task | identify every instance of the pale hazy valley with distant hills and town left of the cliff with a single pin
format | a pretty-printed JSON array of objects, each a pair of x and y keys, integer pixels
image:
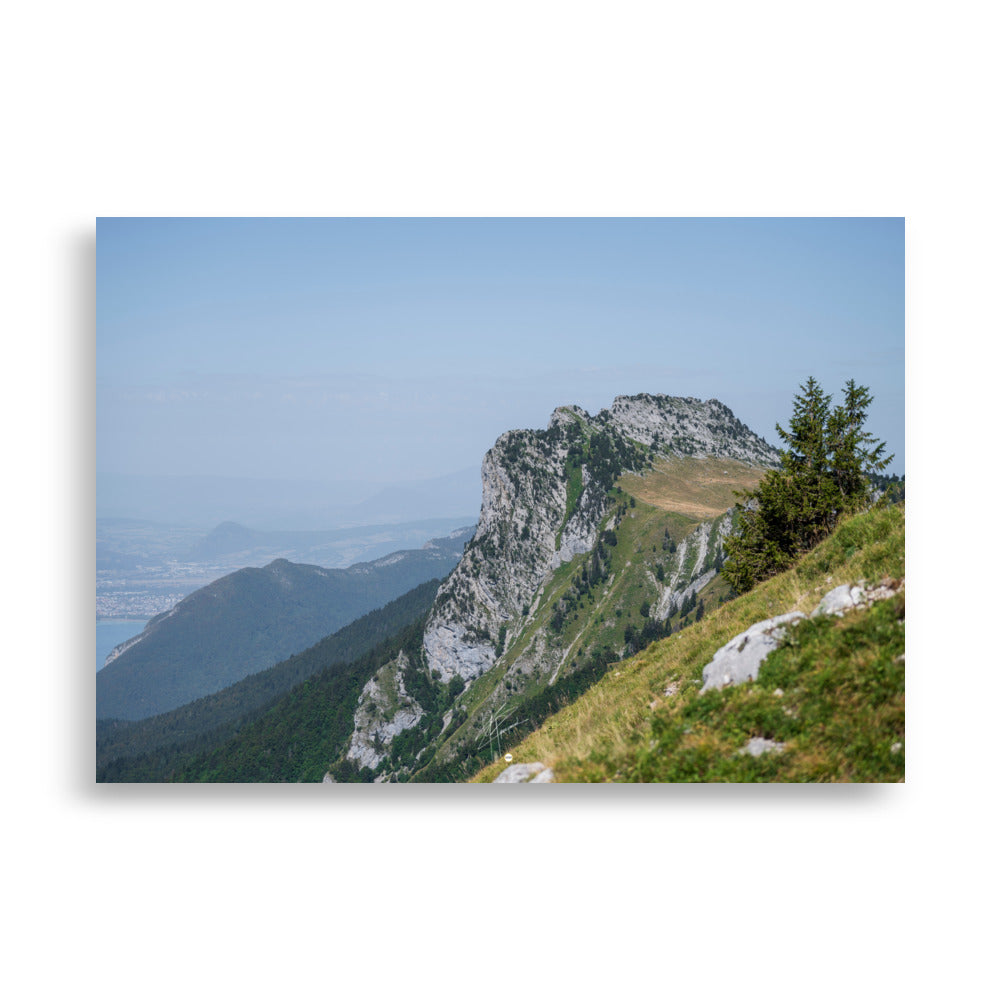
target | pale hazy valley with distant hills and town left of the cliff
[{"x": 169, "y": 543}]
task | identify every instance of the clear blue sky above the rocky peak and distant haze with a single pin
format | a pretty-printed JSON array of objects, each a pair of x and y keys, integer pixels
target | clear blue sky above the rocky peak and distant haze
[{"x": 386, "y": 350}]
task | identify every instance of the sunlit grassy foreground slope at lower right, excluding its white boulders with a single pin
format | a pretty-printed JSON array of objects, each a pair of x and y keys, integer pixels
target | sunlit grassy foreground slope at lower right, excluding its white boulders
[{"x": 843, "y": 687}]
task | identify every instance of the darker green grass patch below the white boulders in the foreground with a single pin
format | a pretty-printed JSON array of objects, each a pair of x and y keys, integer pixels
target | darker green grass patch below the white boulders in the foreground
[{"x": 834, "y": 698}]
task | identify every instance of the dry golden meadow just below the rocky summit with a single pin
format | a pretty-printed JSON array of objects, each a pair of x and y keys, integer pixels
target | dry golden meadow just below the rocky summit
[{"x": 698, "y": 487}]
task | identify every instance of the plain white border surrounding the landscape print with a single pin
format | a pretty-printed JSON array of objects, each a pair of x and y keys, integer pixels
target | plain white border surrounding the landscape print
[{"x": 553, "y": 109}]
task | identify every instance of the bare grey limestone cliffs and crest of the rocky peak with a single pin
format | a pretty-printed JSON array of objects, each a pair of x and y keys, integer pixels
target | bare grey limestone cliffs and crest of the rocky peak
[{"x": 544, "y": 497}]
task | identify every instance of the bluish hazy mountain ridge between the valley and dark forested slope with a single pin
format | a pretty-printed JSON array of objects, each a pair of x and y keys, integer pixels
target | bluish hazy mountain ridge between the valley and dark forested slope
[{"x": 250, "y": 620}]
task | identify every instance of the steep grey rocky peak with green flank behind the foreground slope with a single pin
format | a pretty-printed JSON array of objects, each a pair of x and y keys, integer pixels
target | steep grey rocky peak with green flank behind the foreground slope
[{"x": 567, "y": 570}]
